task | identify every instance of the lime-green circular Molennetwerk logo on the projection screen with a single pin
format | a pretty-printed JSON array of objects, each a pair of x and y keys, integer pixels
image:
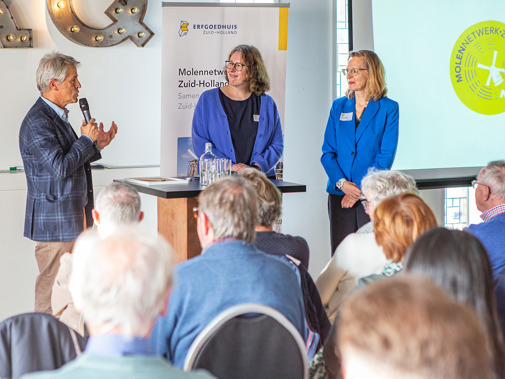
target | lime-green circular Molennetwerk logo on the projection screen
[{"x": 478, "y": 67}]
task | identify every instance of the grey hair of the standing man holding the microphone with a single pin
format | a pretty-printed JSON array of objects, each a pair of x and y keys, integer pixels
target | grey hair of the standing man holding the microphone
[{"x": 53, "y": 66}]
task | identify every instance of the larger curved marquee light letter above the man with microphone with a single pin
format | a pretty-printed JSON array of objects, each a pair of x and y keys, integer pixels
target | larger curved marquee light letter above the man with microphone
[{"x": 127, "y": 23}]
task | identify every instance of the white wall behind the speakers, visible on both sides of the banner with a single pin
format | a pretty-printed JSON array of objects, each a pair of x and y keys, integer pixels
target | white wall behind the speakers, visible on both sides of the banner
[{"x": 122, "y": 83}]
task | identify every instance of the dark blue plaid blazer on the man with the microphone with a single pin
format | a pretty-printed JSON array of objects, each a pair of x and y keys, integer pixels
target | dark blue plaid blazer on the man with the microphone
[{"x": 58, "y": 174}]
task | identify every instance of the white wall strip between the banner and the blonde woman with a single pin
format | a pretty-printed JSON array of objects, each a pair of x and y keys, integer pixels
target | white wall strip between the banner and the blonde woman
[{"x": 309, "y": 91}]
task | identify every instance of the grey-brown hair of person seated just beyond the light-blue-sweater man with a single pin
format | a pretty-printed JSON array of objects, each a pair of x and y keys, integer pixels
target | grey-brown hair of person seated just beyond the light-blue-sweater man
[{"x": 269, "y": 196}]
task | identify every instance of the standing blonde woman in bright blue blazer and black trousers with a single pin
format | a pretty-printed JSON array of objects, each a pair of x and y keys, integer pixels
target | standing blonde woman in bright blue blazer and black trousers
[{"x": 362, "y": 132}]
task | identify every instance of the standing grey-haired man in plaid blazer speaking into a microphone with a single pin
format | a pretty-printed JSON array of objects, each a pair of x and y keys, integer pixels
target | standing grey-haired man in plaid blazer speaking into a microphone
[{"x": 58, "y": 170}]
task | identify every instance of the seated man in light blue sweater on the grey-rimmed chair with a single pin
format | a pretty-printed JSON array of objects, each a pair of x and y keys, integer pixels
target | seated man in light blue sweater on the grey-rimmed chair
[{"x": 230, "y": 271}]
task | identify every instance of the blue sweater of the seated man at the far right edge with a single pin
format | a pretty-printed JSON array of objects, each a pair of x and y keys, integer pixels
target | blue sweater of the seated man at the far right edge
[{"x": 492, "y": 235}]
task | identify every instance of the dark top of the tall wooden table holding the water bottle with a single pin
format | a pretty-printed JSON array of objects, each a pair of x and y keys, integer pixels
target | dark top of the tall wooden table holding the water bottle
[{"x": 192, "y": 188}]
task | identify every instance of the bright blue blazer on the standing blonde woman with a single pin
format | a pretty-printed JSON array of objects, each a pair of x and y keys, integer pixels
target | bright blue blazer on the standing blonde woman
[{"x": 349, "y": 153}]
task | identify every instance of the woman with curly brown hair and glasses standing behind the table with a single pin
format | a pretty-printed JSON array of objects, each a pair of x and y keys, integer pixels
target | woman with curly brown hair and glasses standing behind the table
[{"x": 239, "y": 119}]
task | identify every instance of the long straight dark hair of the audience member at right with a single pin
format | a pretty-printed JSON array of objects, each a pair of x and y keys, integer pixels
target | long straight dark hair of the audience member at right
[{"x": 458, "y": 262}]
